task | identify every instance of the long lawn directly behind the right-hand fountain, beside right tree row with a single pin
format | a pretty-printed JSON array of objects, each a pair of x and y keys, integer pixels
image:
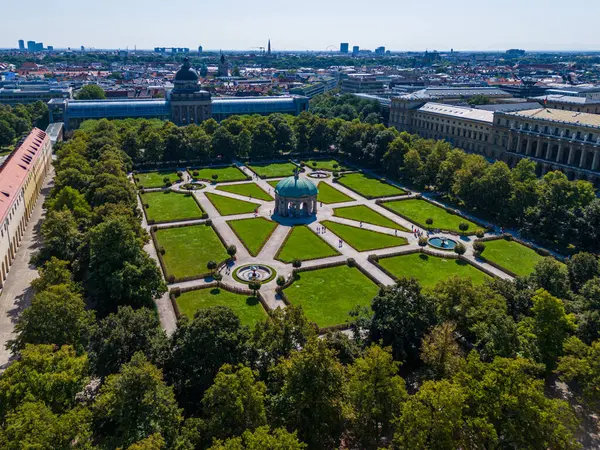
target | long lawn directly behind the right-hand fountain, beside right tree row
[{"x": 418, "y": 211}]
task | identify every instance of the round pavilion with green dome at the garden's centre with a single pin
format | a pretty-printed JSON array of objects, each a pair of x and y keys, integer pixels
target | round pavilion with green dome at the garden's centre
[{"x": 296, "y": 197}]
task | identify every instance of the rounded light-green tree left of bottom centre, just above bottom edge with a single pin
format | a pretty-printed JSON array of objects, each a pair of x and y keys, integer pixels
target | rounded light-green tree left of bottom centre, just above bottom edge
[{"x": 234, "y": 403}]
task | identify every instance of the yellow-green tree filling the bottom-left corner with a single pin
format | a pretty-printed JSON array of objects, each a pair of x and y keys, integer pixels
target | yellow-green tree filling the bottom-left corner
[{"x": 34, "y": 425}]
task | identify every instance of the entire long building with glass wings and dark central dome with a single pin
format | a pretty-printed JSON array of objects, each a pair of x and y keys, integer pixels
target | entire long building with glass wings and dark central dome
[{"x": 187, "y": 103}]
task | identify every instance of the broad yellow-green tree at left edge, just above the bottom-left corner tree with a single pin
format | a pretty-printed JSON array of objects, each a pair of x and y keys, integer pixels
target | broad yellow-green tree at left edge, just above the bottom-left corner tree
[{"x": 44, "y": 373}]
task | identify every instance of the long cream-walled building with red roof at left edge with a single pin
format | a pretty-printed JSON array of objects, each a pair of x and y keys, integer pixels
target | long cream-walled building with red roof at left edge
[{"x": 21, "y": 178}]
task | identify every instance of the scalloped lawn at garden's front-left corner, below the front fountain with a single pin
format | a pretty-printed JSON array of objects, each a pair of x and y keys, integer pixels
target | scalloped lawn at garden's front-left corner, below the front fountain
[{"x": 248, "y": 309}]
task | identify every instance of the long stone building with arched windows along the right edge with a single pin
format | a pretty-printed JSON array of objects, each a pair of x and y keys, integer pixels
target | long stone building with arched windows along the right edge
[{"x": 555, "y": 139}]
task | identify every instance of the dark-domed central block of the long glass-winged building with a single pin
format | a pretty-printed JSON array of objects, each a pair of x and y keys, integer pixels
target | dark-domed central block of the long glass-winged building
[{"x": 189, "y": 104}]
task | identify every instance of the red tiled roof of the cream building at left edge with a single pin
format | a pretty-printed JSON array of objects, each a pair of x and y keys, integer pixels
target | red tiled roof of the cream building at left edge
[{"x": 16, "y": 167}]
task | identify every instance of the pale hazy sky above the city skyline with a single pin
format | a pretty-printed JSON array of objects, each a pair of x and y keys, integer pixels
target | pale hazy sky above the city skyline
[{"x": 306, "y": 24}]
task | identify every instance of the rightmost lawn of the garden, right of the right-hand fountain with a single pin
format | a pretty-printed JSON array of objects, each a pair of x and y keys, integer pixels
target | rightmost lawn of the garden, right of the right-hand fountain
[{"x": 511, "y": 255}]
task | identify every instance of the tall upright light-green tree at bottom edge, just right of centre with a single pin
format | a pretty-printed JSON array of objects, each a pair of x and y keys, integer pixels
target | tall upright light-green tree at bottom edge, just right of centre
[{"x": 376, "y": 393}]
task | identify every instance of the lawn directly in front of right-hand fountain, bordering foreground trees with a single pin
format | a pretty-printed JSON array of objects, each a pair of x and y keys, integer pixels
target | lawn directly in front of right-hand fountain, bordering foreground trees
[{"x": 430, "y": 269}]
